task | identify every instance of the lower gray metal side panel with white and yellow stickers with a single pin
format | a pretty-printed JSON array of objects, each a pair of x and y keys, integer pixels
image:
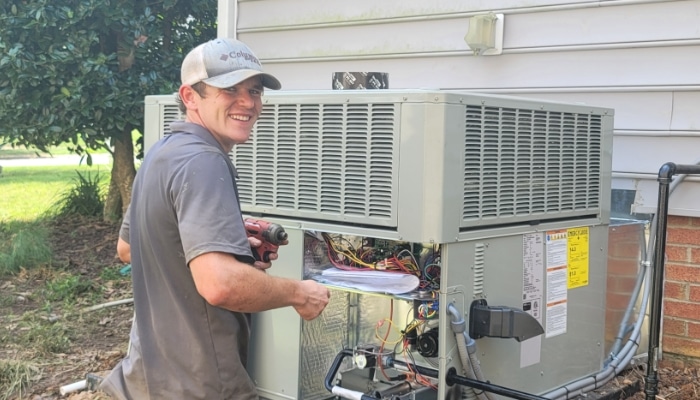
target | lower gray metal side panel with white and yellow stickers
[{"x": 503, "y": 271}]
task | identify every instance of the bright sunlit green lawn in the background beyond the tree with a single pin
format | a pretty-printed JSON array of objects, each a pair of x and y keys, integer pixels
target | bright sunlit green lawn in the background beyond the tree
[{"x": 27, "y": 193}]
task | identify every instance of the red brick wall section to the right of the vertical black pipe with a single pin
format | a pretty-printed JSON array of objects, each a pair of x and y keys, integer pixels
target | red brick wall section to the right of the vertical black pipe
[{"x": 681, "y": 325}]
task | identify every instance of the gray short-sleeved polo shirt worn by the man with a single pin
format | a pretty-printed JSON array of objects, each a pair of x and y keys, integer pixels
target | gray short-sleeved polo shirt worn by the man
[{"x": 184, "y": 204}]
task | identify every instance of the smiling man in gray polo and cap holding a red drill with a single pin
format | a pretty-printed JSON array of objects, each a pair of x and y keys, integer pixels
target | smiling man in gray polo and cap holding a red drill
[{"x": 195, "y": 280}]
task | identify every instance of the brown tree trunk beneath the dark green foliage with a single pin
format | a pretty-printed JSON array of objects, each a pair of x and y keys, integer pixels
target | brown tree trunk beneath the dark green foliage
[{"x": 123, "y": 172}]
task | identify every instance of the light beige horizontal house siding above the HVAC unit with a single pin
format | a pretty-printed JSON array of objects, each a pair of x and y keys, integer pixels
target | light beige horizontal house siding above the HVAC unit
[{"x": 639, "y": 57}]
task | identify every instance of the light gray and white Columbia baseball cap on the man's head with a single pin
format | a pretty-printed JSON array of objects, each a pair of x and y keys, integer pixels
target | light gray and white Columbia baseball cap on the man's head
[{"x": 223, "y": 63}]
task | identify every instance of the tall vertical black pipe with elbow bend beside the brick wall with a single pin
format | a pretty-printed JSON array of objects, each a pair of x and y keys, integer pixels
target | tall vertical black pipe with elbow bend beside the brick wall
[{"x": 666, "y": 173}]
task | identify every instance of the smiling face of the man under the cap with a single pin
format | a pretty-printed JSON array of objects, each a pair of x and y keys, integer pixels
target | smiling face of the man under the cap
[{"x": 229, "y": 114}]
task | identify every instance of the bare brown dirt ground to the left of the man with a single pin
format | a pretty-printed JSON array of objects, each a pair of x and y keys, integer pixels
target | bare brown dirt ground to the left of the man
[{"x": 98, "y": 339}]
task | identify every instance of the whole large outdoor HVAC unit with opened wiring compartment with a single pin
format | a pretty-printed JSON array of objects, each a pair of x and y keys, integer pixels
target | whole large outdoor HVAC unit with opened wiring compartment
[{"x": 508, "y": 199}]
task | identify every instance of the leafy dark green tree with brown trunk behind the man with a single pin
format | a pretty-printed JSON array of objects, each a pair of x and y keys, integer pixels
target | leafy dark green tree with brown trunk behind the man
[{"x": 77, "y": 71}]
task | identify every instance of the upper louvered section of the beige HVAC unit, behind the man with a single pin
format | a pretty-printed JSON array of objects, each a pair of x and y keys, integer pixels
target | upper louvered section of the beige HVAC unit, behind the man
[{"x": 421, "y": 165}]
